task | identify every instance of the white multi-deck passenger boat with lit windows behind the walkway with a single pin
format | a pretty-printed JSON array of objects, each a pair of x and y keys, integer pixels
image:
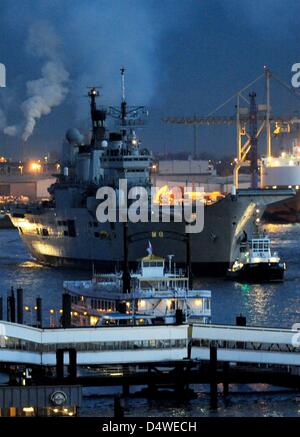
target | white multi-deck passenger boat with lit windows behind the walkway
[{"x": 159, "y": 294}]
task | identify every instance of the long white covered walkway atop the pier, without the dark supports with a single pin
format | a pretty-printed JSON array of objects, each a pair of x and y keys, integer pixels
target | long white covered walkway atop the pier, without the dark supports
[{"x": 148, "y": 344}]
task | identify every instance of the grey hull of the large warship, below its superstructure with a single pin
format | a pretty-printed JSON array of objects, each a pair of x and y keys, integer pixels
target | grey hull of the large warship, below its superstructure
[{"x": 72, "y": 237}]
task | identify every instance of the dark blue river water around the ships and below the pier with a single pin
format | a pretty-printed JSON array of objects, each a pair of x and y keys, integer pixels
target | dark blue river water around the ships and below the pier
[{"x": 272, "y": 305}]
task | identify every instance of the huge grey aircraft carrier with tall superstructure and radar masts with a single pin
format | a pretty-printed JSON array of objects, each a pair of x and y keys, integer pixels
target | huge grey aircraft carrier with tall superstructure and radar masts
[{"x": 64, "y": 231}]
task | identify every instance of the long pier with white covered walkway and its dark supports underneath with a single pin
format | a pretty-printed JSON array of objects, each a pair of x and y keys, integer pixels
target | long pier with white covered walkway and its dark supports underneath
[{"x": 153, "y": 356}]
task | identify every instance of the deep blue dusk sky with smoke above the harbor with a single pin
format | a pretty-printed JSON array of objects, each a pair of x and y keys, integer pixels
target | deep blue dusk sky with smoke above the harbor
[{"x": 181, "y": 58}]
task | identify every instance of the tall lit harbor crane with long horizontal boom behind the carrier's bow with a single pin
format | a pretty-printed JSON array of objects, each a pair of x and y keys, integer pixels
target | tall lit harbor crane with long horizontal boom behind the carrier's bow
[{"x": 247, "y": 119}]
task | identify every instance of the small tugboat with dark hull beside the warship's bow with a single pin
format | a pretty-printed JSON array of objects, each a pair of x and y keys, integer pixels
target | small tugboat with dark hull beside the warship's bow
[{"x": 257, "y": 263}]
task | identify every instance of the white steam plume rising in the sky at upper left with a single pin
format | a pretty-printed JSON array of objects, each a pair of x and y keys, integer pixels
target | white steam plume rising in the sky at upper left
[{"x": 48, "y": 91}]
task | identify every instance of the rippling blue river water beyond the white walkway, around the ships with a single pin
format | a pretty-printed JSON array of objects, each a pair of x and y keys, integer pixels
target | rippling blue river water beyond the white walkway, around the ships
[{"x": 274, "y": 305}]
